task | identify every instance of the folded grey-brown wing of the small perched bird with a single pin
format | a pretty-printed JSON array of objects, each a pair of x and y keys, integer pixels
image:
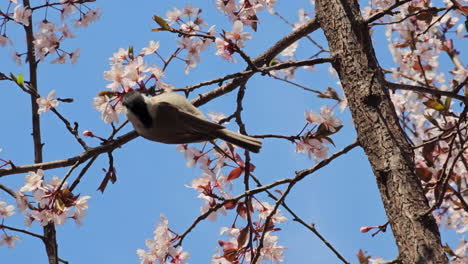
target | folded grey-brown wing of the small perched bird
[{"x": 189, "y": 122}]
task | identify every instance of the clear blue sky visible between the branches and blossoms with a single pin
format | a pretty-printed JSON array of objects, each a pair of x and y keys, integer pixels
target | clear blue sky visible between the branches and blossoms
[{"x": 339, "y": 199}]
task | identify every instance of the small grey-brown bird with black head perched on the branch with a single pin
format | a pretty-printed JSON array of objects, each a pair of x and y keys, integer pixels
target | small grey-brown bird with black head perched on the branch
[{"x": 170, "y": 118}]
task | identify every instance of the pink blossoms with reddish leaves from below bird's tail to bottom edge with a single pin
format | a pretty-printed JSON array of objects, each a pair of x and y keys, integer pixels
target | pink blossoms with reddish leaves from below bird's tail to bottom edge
[{"x": 213, "y": 184}]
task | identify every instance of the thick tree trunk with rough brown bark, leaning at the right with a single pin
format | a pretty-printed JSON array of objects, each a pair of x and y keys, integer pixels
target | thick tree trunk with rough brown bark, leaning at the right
[{"x": 379, "y": 132}]
